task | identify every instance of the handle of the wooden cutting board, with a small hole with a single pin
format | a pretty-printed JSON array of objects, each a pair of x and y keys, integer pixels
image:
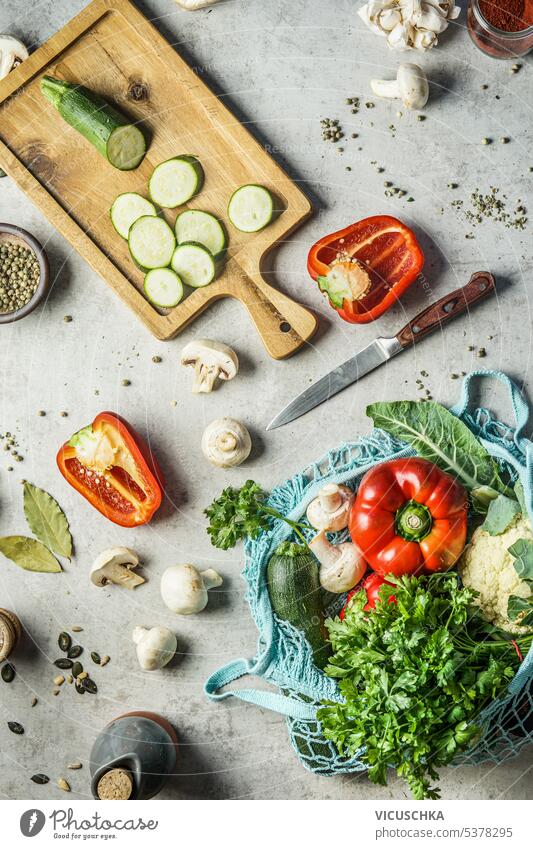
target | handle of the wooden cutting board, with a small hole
[{"x": 283, "y": 325}]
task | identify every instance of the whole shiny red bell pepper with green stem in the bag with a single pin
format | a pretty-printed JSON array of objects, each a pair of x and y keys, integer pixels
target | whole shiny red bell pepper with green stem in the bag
[{"x": 409, "y": 517}]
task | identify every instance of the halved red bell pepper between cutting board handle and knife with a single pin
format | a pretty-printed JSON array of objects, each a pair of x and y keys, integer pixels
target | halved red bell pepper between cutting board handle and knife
[{"x": 364, "y": 269}]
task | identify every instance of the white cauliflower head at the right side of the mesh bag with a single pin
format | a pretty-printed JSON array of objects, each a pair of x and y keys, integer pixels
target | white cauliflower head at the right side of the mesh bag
[{"x": 487, "y": 567}]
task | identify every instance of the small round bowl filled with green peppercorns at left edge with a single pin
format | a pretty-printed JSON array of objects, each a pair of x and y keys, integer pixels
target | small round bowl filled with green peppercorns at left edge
[{"x": 24, "y": 273}]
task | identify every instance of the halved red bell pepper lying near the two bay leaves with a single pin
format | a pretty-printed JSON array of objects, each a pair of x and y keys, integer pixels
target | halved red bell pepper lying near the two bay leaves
[{"x": 113, "y": 468}]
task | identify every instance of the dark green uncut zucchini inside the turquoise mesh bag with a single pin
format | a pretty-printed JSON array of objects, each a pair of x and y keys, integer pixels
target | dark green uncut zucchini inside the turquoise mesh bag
[{"x": 296, "y": 597}]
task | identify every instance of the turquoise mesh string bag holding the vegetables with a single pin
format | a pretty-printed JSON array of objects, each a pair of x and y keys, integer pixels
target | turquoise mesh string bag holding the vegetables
[{"x": 284, "y": 657}]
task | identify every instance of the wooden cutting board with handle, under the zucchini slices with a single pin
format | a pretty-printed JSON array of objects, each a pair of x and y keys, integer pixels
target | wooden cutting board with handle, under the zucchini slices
[{"x": 114, "y": 50}]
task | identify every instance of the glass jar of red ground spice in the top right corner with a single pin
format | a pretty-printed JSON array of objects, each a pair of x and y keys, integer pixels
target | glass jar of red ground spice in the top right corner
[{"x": 501, "y": 28}]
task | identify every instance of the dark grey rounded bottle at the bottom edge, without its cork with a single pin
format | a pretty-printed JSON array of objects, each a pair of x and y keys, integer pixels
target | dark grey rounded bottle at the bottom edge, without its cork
[{"x": 142, "y": 743}]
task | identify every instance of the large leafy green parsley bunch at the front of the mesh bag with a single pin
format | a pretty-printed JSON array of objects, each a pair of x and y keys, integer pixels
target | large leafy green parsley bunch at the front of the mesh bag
[{"x": 414, "y": 676}]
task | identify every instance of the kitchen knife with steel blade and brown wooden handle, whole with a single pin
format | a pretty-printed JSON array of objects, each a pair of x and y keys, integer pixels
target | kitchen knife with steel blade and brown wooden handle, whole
[{"x": 382, "y": 349}]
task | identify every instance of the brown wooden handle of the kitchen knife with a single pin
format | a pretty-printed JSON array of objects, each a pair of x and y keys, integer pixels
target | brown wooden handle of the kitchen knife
[{"x": 479, "y": 286}]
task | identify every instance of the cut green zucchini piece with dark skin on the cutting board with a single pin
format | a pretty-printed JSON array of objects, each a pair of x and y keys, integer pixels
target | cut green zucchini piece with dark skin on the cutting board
[{"x": 112, "y": 134}]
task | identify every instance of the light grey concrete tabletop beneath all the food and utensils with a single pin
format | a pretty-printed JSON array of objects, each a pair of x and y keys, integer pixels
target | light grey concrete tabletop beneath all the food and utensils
[{"x": 282, "y": 67}]
